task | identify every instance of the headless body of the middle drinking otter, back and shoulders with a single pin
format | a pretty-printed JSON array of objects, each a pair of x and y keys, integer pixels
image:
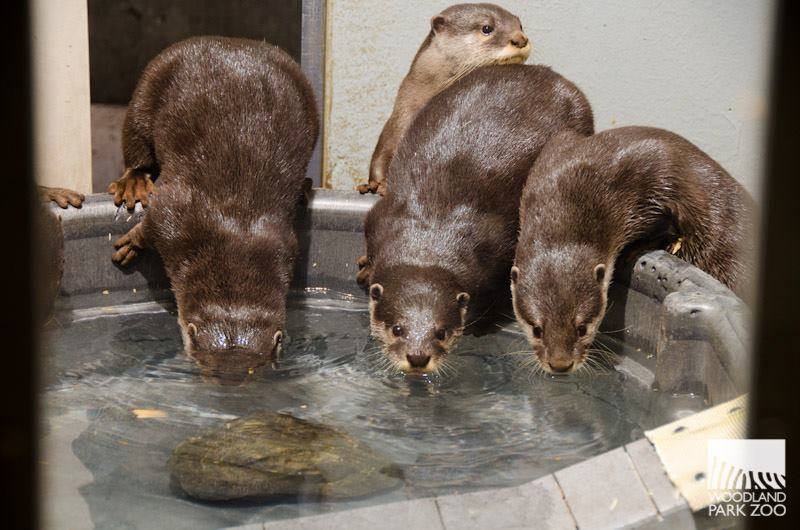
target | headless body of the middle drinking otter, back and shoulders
[{"x": 458, "y": 175}]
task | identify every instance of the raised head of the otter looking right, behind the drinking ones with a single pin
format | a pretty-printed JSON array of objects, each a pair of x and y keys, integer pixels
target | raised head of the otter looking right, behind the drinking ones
[{"x": 473, "y": 35}]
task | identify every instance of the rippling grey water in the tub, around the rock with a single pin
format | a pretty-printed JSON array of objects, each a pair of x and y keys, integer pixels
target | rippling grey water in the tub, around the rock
[{"x": 489, "y": 422}]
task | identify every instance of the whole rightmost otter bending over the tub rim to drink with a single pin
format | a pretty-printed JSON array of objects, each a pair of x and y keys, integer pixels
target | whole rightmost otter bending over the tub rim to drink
[{"x": 587, "y": 199}]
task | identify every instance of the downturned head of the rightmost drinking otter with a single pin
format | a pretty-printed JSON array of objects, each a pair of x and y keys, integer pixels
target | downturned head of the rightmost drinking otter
[{"x": 559, "y": 300}]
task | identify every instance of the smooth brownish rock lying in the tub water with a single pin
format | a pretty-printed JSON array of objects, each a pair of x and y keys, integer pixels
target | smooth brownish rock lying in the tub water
[{"x": 268, "y": 454}]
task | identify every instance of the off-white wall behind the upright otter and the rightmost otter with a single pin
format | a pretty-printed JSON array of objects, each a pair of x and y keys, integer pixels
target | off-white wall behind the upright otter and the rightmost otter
[{"x": 697, "y": 67}]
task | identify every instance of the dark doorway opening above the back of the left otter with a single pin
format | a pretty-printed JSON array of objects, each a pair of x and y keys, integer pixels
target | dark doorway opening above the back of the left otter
[{"x": 125, "y": 34}]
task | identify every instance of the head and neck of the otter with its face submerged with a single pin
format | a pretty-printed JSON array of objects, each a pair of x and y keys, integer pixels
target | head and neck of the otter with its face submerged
[{"x": 231, "y": 297}]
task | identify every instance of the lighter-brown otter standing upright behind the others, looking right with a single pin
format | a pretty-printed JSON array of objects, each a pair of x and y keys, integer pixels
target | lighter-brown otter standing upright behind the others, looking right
[{"x": 463, "y": 37}]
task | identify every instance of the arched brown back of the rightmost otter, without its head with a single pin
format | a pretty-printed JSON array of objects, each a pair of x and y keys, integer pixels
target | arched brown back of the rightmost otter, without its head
[{"x": 639, "y": 186}]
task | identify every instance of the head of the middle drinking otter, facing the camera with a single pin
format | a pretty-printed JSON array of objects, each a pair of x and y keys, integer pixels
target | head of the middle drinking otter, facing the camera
[{"x": 417, "y": 316}]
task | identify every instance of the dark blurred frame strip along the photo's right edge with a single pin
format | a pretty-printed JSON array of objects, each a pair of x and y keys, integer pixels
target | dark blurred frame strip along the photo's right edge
[{"x": 775, "y": 398}]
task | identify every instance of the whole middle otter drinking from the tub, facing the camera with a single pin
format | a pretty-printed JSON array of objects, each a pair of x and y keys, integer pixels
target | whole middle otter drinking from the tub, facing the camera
[{"x": 440, "y": 243}]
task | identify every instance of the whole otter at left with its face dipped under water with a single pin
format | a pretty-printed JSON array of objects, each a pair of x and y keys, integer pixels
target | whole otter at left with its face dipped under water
[{"x": 229, "y": 124}]
